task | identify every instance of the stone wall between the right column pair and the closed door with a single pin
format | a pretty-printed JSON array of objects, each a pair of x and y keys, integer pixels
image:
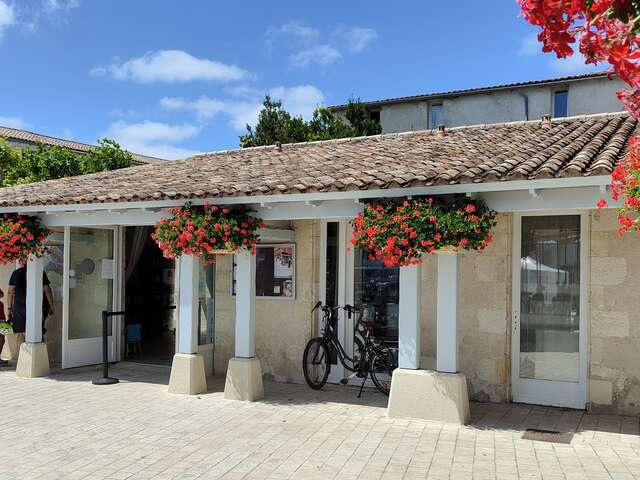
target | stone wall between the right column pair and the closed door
[{"x": 483, "y": 315}]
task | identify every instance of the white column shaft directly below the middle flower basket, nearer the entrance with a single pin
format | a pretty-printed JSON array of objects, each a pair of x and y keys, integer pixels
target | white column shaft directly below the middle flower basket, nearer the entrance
[{"x": 188, "y": 306}]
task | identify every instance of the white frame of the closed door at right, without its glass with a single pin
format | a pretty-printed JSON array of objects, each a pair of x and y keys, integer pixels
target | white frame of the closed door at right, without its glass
[{"x": 549, "y": 392}]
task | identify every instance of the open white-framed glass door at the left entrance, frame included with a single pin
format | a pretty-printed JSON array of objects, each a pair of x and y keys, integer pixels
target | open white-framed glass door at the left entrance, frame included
[{"x": 90, "y": 267}]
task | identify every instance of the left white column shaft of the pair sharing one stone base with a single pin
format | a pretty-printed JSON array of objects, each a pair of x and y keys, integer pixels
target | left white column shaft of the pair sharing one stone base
[{"x": 409, "y": 317}]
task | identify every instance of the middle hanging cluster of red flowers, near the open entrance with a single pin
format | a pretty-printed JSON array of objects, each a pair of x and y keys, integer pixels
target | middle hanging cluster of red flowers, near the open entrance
[{"x": 204, "y": 231}]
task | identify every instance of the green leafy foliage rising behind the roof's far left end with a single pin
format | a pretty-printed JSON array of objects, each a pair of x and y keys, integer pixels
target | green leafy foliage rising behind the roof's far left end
[{"x": 46, "y": 162}]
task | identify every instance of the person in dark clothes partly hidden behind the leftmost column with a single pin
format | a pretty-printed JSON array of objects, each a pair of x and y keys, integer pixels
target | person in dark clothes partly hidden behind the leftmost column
[{"x": 17, "y": 301}]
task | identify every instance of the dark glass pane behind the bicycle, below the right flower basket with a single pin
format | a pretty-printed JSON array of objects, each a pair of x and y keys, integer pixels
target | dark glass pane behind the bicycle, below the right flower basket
[{"x": 377, "y": 290}]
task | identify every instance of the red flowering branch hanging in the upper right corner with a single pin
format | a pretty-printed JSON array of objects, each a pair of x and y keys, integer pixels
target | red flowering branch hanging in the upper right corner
[{"x": 607, "y": 31}]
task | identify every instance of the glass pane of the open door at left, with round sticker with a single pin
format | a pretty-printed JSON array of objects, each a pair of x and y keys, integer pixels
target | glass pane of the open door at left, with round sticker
[{"x": 90, "y": 280}]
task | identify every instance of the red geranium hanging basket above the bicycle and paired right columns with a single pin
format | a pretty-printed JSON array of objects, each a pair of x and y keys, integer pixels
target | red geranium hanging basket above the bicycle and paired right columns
[{"x": 400, "y": 233}]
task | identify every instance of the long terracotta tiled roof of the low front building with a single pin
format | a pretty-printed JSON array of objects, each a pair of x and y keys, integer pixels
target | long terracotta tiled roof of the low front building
[{"x": 571, "y": 147}]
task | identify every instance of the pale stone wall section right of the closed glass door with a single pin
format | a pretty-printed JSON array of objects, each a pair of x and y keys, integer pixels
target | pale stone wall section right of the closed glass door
[{"x": 614, "y": 353}]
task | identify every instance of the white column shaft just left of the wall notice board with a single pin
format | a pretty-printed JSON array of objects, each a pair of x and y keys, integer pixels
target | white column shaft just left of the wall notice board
[{"x": 245, "y": 304}]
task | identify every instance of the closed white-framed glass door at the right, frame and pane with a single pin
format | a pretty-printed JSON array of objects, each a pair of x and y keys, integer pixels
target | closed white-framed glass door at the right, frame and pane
[{"x": 549, "y": 359}]
